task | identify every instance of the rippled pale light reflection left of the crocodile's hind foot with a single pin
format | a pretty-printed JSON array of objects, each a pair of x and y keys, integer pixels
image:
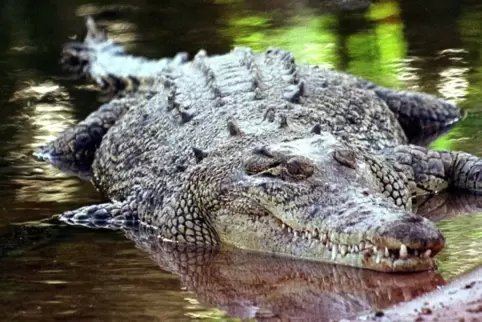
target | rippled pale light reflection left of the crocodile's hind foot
[{"x": 48, "y": 114}]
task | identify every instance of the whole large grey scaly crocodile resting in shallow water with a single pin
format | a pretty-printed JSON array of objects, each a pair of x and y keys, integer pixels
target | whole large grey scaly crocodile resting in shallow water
[{"x": 255, "y": 151}]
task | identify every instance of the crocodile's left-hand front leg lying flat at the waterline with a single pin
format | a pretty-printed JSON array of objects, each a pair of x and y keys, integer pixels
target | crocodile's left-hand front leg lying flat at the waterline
[{"x": 113, "y": 215}]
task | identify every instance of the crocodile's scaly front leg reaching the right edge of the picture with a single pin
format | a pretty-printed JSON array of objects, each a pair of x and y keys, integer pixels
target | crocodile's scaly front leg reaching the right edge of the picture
[{"x": 430, "y": 171}]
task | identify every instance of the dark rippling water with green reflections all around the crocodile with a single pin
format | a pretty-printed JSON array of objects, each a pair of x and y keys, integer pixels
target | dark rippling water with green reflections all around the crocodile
[{"x": 77, "y": 274}]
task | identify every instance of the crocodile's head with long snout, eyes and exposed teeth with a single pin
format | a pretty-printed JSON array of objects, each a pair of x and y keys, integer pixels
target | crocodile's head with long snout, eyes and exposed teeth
[{"x": 319, "y": 199}]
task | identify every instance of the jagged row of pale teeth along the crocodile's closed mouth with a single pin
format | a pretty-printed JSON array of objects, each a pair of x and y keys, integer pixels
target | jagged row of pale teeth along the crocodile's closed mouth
[{"x": 365, "y": 248}]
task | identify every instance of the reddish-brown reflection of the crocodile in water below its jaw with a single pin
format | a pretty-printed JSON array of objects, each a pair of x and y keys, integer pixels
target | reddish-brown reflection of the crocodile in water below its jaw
[{"x": 249, "y": 285}]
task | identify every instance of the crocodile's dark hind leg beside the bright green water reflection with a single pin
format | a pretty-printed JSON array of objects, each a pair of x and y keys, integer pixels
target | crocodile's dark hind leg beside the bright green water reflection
[{"x": 423, "y": 117}]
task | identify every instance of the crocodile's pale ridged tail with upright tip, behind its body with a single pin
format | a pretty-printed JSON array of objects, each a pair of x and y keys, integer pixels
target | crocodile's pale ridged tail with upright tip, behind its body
[{"x": 106, "y": 62}]
